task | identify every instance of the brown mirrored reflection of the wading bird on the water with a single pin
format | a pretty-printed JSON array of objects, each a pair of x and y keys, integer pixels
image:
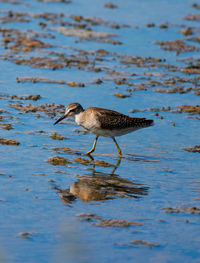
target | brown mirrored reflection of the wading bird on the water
[{"x": 99, "y": 186}]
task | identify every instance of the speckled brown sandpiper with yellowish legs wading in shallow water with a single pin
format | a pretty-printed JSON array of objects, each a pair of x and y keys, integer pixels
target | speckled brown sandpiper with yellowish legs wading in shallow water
[{"x": 104, "y": 122}]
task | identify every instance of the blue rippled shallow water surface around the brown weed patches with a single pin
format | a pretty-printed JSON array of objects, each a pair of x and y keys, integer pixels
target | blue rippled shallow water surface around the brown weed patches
[{"x": 153, "y": 157}]
